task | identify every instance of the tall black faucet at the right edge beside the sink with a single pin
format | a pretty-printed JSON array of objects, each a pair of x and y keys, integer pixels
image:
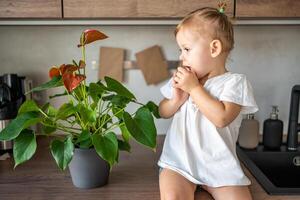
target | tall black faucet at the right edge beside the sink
[{"x": 294, "y": 126}]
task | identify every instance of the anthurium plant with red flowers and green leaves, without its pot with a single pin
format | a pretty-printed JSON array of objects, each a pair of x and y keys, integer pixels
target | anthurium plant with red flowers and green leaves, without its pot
[{"x": 88, "y": 119}]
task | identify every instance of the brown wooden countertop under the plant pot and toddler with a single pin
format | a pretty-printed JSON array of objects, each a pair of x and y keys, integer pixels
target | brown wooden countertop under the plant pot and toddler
[{"x": 134, "y": 177}]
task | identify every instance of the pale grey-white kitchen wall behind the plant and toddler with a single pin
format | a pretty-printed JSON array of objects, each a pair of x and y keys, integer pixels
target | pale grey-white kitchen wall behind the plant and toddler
[{"x": 268, "y": 55}]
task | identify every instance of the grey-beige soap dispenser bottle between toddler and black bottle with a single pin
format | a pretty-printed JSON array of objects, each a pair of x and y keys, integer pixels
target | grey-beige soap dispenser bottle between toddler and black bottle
[{"x": 249, "y": 132}]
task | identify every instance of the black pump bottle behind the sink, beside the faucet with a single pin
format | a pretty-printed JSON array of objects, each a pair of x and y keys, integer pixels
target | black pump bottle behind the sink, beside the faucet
[{"x": 272, "y": 130}]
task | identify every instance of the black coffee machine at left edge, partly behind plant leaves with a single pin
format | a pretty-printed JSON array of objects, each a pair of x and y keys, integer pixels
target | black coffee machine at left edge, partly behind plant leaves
[{"x": 12, "y": 90}]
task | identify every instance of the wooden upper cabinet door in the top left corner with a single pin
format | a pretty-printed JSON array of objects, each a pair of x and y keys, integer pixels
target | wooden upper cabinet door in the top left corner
[{"x": 30, "y": 9}]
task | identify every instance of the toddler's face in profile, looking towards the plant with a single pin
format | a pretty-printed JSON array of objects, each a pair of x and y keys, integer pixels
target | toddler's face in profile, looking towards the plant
[{"x": 195, "y": 51}]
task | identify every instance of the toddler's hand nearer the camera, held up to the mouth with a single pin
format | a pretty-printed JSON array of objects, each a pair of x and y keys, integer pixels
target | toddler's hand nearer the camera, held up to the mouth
[{"x": 185, "y": 79}]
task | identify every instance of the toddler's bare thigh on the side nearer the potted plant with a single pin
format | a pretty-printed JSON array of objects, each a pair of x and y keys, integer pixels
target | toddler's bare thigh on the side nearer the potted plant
[{"x": 174, "y": 186}]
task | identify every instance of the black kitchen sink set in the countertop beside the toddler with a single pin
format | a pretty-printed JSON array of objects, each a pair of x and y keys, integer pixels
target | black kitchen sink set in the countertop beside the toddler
[{"x": 277, "y": 171}]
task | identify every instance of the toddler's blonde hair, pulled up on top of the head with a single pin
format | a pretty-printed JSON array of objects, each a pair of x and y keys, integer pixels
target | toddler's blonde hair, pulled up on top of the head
[{"x": 211, "y": 22}]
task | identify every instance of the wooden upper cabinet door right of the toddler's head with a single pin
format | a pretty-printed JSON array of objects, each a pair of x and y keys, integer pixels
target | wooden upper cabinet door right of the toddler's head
[{"x": 267, "y": 8}]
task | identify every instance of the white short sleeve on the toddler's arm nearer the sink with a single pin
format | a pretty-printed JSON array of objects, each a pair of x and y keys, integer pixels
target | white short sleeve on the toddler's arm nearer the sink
[{"x": 239, "y": 90}]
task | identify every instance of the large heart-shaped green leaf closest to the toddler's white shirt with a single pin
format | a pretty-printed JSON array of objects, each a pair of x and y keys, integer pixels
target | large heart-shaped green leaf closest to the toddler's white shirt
[{"x": 142, "y": 127}]
